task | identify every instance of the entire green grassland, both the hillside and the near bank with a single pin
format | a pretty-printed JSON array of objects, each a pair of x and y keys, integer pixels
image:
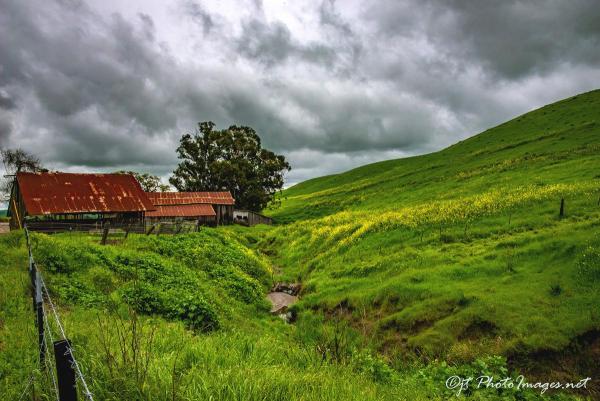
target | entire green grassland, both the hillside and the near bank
[{"x": 413, "y": 270}]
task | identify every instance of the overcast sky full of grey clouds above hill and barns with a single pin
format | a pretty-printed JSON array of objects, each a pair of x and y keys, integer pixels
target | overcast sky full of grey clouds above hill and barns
[{"x": 107, "y": 85}]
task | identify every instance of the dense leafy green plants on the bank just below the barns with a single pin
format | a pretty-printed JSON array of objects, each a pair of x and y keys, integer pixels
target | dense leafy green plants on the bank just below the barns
[{"x": 194, "y": 278}]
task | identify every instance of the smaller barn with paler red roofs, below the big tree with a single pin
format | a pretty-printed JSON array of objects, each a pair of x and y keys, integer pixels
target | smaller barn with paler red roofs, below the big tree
[{"x": 206, "y": 208}]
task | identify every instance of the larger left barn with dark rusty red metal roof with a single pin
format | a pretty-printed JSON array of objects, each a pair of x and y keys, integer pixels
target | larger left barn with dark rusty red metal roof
[{"x": 54, "y": 201}]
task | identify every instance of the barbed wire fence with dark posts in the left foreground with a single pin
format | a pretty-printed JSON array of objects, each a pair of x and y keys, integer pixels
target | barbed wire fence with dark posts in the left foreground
[{"x": 53, "y": 344}]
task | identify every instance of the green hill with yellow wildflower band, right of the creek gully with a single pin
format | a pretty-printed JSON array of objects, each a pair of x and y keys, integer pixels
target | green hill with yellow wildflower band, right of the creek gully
[{"x": 462, "y": 252}]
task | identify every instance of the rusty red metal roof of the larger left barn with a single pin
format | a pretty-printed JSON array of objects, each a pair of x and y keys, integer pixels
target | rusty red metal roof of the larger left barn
[{"x": 49, "y": 193}]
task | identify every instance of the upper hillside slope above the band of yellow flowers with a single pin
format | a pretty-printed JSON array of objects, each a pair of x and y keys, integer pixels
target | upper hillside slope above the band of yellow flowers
[{"x": 556, "y": 143}]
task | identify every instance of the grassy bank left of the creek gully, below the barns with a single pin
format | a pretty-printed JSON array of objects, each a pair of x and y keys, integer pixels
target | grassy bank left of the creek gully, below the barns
[{"x": 199, "y": 321}]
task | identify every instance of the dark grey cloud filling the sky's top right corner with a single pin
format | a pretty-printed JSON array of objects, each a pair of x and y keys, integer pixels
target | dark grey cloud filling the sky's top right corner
[{"x": 509, "y": 39}]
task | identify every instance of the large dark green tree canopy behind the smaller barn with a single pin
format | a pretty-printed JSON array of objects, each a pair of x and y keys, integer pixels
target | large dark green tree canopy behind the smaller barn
[{"x": 231, "y": 159}]
